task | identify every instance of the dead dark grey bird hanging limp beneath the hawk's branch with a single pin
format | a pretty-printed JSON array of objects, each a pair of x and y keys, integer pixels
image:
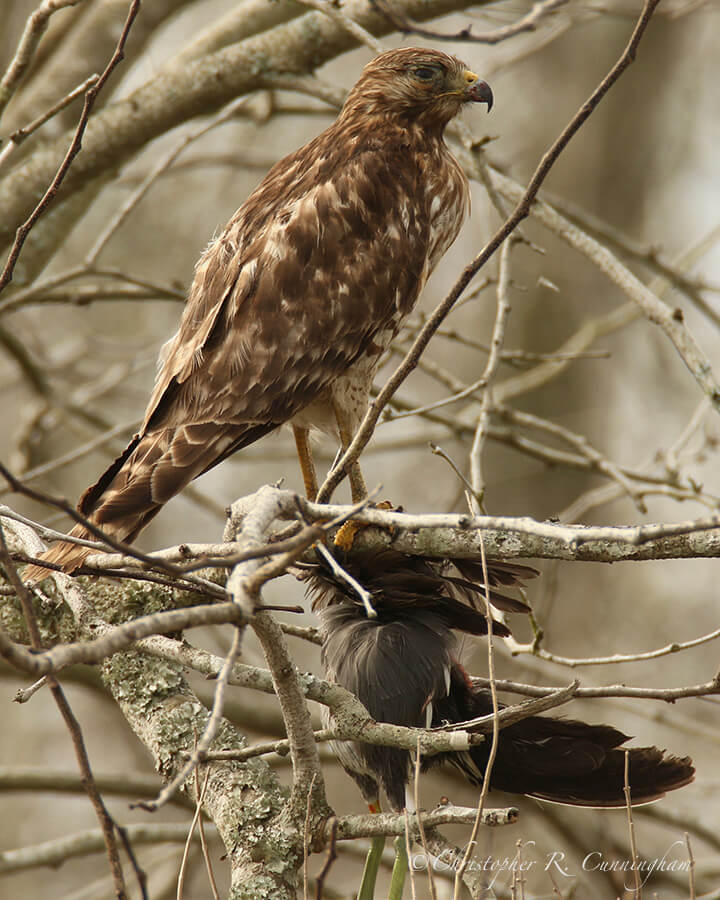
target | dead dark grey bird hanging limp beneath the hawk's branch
[{"x": 402, "y": 666}]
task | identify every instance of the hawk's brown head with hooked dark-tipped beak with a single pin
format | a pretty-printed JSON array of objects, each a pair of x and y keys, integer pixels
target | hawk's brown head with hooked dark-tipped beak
[{"x": 423, "y": 85}]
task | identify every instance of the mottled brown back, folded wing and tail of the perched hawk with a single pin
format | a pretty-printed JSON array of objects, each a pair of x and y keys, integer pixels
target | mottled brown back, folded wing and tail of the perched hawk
[{"x": 314, "y": 272}]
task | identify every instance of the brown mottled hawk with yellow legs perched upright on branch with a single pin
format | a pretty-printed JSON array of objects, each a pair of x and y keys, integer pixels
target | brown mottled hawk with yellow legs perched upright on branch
[{"x": 293, "y": 305}]
